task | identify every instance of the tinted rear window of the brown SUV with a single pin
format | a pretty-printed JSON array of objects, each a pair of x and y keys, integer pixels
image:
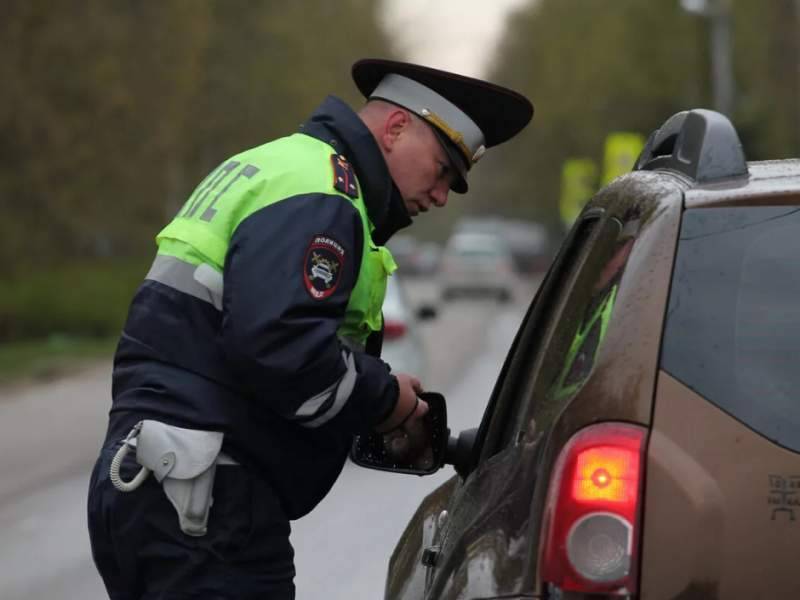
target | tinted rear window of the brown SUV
[{"x": 733, "y": 322}]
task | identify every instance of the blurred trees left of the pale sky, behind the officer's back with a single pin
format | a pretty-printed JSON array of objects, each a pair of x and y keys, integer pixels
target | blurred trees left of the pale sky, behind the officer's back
[{"x": 113, "y": 110}]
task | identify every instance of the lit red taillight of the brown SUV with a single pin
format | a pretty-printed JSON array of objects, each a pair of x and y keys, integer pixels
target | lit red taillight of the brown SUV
[{"x": 591, "y": 519}]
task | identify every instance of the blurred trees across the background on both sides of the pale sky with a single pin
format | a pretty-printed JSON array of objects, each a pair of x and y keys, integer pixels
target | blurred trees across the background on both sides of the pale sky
[{"x": 113, "y": 110}]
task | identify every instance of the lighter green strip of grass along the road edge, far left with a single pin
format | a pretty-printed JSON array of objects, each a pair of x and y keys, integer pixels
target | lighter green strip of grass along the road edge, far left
[{"x": 57, "y": 356}]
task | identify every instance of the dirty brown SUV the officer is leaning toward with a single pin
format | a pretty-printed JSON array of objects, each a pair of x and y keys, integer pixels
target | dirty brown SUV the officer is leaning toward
[{"x": 643, "y": 437}]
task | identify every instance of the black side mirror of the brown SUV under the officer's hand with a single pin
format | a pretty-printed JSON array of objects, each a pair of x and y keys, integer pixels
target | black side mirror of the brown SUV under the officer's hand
[{"x": 372, "y": 450}]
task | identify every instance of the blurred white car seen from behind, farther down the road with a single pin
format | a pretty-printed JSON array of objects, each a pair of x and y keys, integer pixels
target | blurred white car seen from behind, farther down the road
[{"x": 477, "y": 263}]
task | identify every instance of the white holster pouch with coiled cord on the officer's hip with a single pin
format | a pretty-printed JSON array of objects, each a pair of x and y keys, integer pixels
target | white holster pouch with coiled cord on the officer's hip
[{"x": 184, "y": 461}]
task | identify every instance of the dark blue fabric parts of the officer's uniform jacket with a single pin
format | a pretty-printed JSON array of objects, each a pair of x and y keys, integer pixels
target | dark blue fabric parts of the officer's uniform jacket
[{"x": 178, "y": 362}]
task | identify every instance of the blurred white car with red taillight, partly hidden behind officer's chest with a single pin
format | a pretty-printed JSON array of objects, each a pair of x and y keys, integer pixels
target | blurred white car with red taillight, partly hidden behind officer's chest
[{"x": 403, "y": 348}]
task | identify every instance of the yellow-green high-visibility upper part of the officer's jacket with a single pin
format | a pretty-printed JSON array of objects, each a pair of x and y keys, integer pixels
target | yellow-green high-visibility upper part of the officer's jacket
[{"x": 298, "y": 164}]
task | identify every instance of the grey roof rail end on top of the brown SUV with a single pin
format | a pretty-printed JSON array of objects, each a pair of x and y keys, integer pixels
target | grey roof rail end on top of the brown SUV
[{"x": 702, "y": 144}]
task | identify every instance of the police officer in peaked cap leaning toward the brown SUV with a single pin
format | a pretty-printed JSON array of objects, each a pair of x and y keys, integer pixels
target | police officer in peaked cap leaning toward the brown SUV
[{"x": 250, "y": 356}]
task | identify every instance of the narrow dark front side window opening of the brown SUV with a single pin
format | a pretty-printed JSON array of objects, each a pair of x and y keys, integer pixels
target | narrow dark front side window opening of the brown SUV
[{"x": 506, "y": 403}]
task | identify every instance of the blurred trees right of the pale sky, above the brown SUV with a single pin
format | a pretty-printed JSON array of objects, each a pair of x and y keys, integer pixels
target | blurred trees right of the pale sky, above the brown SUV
[{"x": 592, "y": 67}]
